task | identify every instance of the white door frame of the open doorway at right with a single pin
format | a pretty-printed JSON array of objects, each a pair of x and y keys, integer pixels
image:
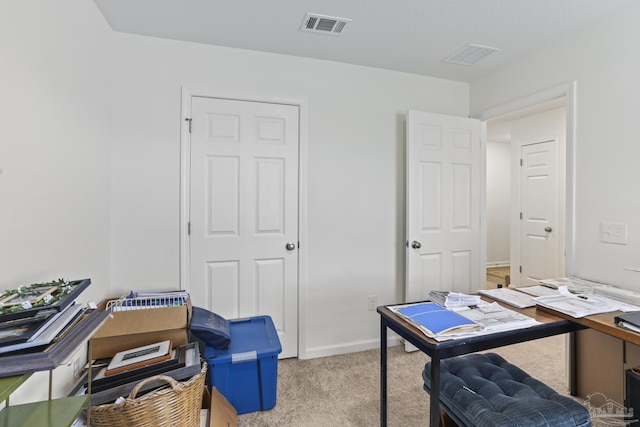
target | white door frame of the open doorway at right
[{"x": 569, "y": 92}]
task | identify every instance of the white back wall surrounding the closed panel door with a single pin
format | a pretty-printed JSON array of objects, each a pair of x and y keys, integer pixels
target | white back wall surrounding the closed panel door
[{"x": 355, "y": 171}]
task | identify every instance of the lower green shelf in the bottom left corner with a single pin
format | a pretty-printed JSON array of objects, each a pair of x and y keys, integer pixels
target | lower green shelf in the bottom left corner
[{"x": 49, "y": 413}]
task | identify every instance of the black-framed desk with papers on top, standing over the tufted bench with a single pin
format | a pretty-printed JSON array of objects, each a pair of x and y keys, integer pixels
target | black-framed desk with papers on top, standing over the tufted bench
[{"x": 550, "y": 324}]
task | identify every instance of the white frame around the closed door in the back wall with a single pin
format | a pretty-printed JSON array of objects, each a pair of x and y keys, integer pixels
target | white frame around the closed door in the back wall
[{"x": 185, "y": 200}]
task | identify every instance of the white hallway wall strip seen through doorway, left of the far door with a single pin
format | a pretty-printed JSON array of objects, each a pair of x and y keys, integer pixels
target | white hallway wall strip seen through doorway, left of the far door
[{"x": 498, "y": 202}]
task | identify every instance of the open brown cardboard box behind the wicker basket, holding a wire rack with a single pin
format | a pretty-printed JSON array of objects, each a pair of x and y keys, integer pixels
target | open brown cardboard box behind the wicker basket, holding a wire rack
[{"x": 124, "y": 330}]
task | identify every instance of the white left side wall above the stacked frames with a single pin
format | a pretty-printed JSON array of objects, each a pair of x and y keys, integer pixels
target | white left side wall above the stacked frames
[{"x": 55, "y": 73}]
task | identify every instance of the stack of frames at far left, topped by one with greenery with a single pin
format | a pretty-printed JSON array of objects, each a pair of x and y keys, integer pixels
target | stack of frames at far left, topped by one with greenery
[{"x": 33, "y": 317}]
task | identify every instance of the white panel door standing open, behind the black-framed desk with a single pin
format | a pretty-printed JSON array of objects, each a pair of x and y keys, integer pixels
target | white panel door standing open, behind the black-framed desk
[{"x": 444, "y": 160}]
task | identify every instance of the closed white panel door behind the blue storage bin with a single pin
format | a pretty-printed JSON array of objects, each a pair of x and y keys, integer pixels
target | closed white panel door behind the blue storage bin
[{"x": 244, "y": 212}]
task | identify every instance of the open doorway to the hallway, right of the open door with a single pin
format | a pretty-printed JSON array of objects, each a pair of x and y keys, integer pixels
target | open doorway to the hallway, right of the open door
[{"x": 507, "y": 246}]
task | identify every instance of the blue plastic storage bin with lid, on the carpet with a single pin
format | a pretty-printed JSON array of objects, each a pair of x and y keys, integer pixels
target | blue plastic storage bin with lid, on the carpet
[{"x": 247, "y": 372}]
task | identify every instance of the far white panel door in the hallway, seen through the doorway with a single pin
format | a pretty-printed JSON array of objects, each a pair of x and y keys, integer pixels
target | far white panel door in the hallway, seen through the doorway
[{"x": 540, "y": 212}]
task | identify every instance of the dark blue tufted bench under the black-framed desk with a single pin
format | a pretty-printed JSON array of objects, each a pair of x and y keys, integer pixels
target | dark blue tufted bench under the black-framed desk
[{"x": 482, "y": 390}]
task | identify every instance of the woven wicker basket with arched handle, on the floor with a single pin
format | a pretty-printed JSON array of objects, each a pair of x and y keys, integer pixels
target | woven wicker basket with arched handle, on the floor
[{"x": 178, "y": 405}]
